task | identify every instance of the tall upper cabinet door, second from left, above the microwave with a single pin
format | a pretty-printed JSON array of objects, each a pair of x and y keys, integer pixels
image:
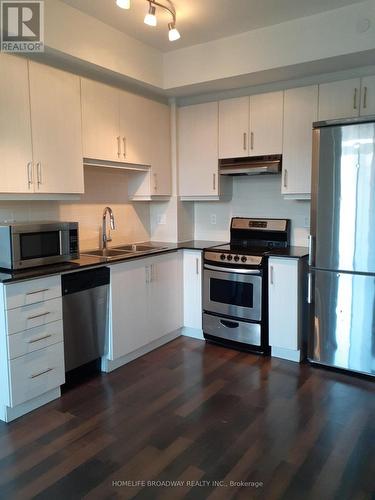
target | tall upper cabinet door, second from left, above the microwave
[{"x": 56, "y": 130}]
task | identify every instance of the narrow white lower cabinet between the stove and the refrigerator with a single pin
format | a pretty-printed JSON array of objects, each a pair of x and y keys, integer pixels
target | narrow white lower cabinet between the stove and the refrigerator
[{"x": 287, "y": 313}]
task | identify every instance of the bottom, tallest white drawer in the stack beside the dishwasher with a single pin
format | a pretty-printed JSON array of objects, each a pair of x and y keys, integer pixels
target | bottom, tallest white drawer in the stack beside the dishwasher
[{"x": 36, "y": 373}]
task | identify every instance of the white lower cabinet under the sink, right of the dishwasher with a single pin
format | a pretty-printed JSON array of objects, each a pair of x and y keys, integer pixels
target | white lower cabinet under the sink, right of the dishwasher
[{"x": 146, "y": 305}]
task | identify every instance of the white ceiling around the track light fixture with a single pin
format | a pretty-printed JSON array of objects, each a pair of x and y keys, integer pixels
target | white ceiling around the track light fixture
[{"x": 202, "y": 20}]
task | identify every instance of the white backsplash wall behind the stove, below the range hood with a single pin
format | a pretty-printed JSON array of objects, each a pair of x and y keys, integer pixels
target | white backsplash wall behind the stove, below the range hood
[{"x": 256, "y": 196}]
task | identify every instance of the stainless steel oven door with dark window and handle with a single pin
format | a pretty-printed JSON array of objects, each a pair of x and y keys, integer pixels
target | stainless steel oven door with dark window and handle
[{"x": 233, "y": 292}]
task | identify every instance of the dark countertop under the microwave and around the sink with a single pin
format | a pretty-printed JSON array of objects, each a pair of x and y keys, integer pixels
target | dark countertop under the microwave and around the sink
[{"x": 87, "y": 261}]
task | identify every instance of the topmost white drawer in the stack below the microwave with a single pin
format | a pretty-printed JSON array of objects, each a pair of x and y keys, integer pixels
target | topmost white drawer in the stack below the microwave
[{"x": 31, "y": 292}]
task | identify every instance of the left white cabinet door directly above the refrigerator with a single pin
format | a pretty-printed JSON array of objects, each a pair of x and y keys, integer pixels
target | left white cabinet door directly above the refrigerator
[{"x": 339, "y": 99}]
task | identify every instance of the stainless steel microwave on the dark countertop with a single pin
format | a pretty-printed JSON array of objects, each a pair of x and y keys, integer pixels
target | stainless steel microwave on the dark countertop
[{"x": 29, "y": 244}]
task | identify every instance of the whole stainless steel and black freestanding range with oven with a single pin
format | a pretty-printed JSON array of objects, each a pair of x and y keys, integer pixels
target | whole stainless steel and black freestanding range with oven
[{"x": 235, "y": 294}]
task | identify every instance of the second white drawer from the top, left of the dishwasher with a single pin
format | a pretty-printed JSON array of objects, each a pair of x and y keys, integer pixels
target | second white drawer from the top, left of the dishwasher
[{"x": 34, "y": 315}]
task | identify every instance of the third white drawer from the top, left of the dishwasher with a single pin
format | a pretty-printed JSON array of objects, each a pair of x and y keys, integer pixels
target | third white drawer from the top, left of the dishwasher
[{"x": 34, "y": 339}]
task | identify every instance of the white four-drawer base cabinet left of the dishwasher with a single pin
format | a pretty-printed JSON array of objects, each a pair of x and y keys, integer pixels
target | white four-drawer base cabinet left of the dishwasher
[{"x": 32, "y": 367}]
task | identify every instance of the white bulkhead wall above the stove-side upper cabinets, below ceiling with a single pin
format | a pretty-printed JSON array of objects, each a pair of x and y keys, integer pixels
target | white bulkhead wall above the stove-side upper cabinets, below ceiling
[{"x": 323, "y": 36}]
